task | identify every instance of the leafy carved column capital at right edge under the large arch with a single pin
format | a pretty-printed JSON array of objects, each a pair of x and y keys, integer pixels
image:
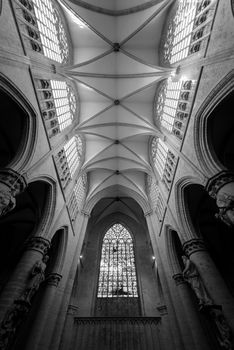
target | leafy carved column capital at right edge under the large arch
[{"x": 215, "y": 183}]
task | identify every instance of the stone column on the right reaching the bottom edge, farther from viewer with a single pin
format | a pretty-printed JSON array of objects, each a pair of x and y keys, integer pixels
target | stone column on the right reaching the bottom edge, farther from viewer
[{"x": 199, "y": 339}]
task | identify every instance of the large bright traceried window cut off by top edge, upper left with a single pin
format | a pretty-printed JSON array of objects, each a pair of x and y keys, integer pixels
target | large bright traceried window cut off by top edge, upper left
[{"x": 42, "y": 28}]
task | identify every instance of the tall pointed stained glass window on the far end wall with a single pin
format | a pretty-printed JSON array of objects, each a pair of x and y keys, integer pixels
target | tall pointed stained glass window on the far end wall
[{"x": 117, "y": 276}]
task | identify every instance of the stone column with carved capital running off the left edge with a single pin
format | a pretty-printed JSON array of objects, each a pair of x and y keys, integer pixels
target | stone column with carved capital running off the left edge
[{"x": 36, "y": 248}]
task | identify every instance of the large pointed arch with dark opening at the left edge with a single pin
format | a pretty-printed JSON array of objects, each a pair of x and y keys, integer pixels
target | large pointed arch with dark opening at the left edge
[{"x": 17, "y": 142}]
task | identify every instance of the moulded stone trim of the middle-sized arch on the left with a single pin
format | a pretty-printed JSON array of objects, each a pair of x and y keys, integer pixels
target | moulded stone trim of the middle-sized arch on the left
[{"x": 49, "y": 211}]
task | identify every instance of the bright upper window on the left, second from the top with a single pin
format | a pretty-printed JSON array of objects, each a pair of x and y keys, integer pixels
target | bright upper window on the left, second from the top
[{"x": 58, "y": 104}]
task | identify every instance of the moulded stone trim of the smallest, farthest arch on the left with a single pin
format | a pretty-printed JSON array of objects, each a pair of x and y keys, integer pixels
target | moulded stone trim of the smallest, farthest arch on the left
[{"x": 61, "y": 253}]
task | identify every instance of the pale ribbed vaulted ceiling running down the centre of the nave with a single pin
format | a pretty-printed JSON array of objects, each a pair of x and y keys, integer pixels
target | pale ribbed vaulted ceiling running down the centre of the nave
[{"x": 116, "y": 70}]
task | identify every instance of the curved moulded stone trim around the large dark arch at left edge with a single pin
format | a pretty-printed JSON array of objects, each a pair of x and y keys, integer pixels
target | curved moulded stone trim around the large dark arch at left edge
[{"x": 27, "y": 148}]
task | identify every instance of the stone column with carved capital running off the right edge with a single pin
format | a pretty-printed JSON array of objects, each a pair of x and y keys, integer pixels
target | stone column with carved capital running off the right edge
[{"x": 212, "y": 280}]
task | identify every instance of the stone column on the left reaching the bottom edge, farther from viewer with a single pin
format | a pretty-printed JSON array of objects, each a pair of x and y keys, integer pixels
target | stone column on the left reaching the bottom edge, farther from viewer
[{"x": 45, "y": 316}]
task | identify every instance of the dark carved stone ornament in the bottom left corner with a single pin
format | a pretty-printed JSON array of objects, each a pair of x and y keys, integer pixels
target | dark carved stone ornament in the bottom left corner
[{"x": 12, "y": 320}]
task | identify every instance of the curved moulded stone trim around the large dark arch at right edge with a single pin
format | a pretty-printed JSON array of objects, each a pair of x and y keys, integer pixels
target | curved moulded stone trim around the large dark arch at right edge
[{"x": 204, "y": 151}]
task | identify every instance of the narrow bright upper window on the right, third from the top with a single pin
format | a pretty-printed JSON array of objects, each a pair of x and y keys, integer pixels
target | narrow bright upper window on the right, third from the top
[{"x": 164, "y": 161}]
